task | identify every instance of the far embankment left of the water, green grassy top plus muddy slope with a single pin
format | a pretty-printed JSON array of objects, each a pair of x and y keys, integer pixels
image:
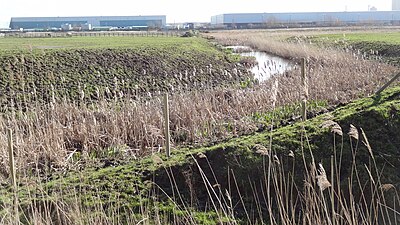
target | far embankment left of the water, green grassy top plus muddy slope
[{"x": 89, "y": 68}]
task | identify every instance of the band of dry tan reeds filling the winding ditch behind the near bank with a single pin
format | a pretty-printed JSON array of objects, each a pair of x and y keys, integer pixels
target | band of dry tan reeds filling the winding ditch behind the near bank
[{"x": 57, "y": 131}]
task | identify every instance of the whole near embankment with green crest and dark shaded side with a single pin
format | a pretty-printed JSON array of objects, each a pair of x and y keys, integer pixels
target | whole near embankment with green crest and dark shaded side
[{"x": 234, "y": 172}]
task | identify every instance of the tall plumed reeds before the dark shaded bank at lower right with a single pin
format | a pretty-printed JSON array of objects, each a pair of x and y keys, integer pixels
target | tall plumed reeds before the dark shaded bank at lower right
[{"x": 300, "y": 188}]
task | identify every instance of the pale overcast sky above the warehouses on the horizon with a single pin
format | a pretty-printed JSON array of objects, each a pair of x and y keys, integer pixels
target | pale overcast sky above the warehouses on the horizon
[{"x": 176, "y": 10}]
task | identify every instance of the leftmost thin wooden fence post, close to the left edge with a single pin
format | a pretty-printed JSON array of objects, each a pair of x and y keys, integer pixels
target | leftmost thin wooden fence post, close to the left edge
[{"x": 12, "y": 174}]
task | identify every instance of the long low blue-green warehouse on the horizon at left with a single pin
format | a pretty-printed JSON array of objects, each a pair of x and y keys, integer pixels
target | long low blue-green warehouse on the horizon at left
[{"x": 87, "y": 22}]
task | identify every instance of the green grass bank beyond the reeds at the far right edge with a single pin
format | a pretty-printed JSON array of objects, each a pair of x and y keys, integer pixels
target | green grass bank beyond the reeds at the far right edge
[{"x": 372, "y": 44}]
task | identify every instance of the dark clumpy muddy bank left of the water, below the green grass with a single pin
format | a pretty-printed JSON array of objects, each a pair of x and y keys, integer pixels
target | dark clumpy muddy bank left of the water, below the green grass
[{"x": 90, "y": 74}]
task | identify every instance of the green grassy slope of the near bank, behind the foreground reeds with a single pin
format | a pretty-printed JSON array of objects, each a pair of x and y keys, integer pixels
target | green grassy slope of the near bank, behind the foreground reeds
[{"x": 128, "y": 185}]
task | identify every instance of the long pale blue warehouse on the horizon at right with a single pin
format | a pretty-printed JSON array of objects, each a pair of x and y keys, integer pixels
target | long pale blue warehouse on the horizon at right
[{"x": 249, "y": 20}]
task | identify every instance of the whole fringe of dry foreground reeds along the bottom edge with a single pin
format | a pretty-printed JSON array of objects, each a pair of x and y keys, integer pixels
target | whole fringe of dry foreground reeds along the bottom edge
[{"x": 292, "y": 190}]
